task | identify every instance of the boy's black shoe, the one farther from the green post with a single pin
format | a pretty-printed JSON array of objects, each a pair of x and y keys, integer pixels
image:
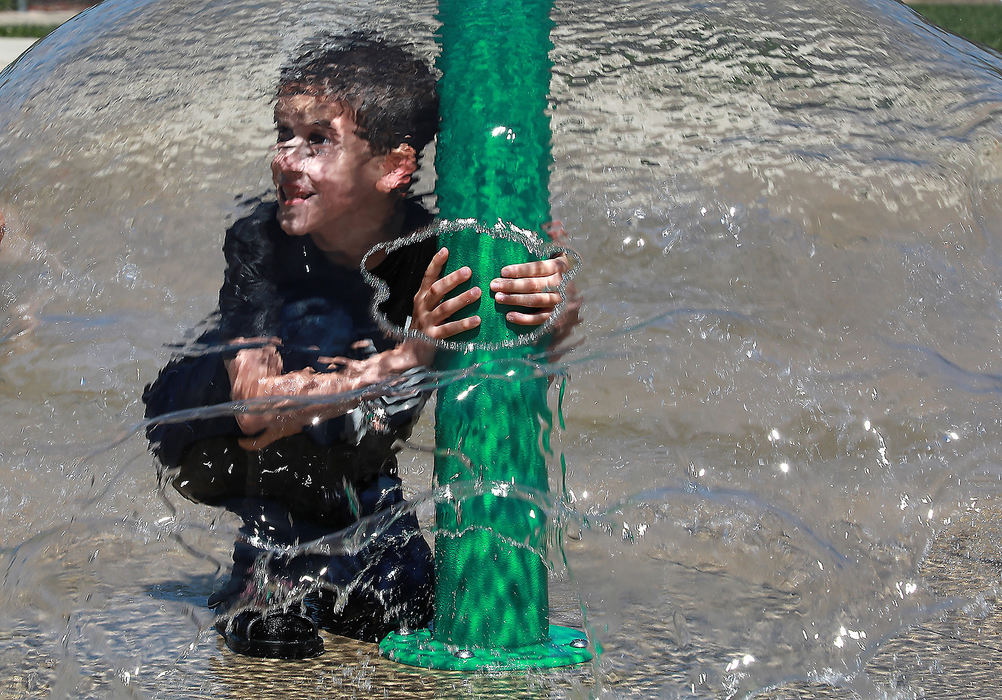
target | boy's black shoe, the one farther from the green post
[{"x": 273, "y": 635}]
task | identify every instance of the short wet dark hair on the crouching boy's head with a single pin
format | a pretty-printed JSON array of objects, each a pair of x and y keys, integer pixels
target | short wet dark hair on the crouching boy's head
[{"x": 390, "y": 93}]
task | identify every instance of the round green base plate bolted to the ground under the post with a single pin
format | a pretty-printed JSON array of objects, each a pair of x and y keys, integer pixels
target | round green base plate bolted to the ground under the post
[{"x": 565, "y": 647}]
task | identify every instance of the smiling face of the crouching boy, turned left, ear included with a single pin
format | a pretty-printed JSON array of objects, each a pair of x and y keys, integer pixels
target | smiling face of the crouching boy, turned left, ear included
[{"x": 327, "y": 177}]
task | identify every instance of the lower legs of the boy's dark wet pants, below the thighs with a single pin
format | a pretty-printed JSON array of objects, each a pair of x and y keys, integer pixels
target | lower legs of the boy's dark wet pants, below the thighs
[{"x": 384, "y": 586}]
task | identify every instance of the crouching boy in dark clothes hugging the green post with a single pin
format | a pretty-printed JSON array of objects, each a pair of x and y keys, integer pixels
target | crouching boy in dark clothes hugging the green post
[{"x": 294, "y": 321}]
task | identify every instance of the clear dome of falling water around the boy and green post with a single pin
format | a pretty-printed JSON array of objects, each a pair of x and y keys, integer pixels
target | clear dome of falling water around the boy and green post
[{"x": 783, "y": 425}]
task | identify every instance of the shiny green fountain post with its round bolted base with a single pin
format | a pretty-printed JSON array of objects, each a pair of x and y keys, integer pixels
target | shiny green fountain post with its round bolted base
[{"x": 493, "y": 157}]
